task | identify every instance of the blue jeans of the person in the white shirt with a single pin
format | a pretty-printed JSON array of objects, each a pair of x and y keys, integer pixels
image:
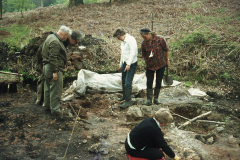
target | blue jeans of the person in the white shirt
[{"x": 127, "y": 77}]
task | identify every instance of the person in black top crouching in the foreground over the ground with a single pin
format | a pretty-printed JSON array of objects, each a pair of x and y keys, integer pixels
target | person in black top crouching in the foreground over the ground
[{"x": 145, "y": 140}]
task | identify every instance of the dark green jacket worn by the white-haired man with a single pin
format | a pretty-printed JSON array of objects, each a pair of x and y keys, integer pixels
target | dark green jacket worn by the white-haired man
[{"x": 54, "y": 53}]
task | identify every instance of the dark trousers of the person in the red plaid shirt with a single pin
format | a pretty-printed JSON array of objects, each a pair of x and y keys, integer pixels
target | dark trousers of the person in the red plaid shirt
[{"x": 159, "y": 77}]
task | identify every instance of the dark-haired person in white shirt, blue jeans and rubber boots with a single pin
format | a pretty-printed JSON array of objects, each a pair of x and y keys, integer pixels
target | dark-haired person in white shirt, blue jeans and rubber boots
[{"x": 128, "y": 63}]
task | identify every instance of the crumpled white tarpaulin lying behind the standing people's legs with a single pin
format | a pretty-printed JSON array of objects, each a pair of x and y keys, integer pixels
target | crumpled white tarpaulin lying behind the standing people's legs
[{"x": 94, "y": 82}]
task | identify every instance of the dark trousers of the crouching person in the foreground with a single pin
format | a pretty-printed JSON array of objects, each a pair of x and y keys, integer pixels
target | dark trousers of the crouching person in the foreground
[{"x": 148, "y": 152}]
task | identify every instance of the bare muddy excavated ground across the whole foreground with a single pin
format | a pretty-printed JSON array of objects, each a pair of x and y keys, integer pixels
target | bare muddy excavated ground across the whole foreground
[{"x": 28, "y": 132}]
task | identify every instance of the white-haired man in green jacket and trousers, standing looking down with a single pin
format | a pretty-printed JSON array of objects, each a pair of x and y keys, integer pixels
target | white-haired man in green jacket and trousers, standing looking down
[{"x": 54, "y": 59}]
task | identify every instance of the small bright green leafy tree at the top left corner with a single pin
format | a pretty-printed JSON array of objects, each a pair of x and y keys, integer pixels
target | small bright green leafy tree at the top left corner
[{"x": 21, "y": 4}]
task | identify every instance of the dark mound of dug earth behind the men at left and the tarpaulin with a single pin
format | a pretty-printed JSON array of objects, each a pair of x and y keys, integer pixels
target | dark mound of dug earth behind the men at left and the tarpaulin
[{"x": 95, "y": 57}]
